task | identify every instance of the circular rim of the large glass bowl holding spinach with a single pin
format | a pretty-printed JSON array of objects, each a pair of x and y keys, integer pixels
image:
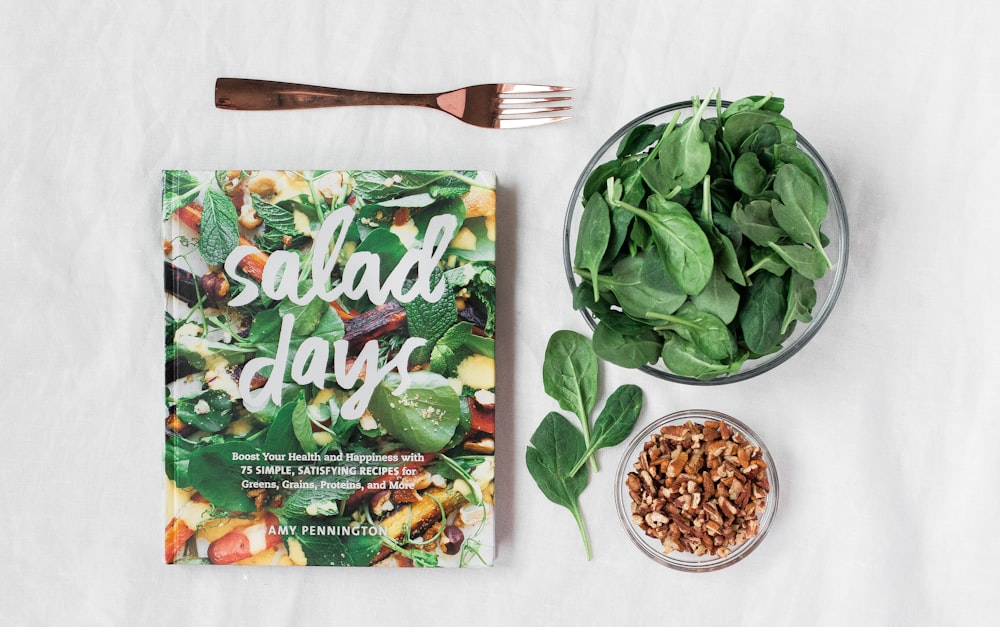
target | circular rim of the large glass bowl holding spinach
[{"x": 837, "y": 209}]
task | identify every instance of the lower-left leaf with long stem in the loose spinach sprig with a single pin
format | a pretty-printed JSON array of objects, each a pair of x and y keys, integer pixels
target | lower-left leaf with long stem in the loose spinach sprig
[{"x": 555, "y": 447}]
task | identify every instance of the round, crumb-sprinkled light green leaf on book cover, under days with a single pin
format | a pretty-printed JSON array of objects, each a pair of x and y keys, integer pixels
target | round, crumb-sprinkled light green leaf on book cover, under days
[{"x": 424, "y": 417}]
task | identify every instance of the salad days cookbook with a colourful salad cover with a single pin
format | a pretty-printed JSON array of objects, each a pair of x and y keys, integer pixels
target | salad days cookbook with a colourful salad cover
[{"x": 330, "y": 370}]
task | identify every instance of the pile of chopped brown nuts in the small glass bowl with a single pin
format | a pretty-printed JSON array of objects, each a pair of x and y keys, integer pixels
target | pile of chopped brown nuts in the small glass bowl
[{"x": 699, "y": 488}]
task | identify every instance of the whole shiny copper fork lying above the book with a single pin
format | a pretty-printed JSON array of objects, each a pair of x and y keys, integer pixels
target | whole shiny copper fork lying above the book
[{"x": 494, "y": 105}]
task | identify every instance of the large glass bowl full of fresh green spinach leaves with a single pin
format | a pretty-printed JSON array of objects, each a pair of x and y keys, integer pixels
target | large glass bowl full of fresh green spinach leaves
[{"x": 705, "y": 242}]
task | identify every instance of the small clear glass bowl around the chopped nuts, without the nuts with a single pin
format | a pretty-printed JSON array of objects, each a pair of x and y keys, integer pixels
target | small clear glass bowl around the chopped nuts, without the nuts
[{"x": 652, "y": 547}]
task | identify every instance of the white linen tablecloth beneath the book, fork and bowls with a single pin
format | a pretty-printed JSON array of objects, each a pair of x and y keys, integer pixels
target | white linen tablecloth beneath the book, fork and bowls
[{"x": 885, "y": 428}]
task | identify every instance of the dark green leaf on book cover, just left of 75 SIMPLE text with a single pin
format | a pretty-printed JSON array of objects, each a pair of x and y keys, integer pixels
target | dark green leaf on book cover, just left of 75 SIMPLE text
[{"x": 215, "y": 472}]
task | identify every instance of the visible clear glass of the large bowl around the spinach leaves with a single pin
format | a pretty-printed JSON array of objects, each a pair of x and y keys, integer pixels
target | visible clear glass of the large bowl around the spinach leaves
[{"x": 827, "y": 289}]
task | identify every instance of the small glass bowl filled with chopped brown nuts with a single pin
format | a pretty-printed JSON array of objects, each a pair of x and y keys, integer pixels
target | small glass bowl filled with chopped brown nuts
[{"x": 696, "y": 490}]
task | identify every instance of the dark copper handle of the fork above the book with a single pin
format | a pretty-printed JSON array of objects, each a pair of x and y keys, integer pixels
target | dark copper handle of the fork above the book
[{"x": 247, "y": 94}]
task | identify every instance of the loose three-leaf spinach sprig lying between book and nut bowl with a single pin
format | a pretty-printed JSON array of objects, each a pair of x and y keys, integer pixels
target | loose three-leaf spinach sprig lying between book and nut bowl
[{"x": 558, "y": 450}]
